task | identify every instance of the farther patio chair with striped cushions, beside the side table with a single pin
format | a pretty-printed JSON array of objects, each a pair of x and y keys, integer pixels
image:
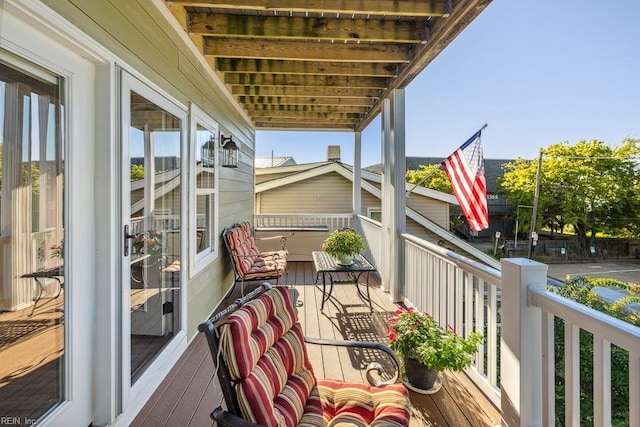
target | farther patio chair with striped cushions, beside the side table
[{"x": 249, "y": 263}]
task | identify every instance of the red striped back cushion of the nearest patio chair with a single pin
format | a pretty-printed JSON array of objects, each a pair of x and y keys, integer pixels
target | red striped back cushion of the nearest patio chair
[{"x": 264, "y": 347}]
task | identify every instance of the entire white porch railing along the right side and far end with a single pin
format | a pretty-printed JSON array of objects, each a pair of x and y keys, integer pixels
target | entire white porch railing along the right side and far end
[{"x": 514, "y": 311}]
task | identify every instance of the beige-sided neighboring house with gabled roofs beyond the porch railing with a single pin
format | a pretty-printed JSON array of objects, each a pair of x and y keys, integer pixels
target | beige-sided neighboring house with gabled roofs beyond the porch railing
[{"x": 326, "y": 188}]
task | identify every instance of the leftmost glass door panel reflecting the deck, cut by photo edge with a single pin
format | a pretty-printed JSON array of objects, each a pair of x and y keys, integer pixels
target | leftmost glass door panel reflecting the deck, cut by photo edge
[{"x": 32, "y": 294}]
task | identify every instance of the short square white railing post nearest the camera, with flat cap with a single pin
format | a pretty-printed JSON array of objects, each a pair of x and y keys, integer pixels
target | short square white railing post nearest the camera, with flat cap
[{"x": 520, "y": 343}]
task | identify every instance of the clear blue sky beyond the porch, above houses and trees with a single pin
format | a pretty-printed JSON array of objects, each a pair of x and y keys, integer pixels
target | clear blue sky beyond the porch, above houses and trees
[{"x": 537, "y": 72}]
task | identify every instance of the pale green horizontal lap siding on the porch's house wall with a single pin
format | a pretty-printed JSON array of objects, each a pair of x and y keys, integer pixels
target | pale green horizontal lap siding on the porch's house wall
[{"x": 138, "y": 33}]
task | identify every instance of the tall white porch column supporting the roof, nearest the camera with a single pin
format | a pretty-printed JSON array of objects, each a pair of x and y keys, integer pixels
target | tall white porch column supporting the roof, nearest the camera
[{"x": 394, "y": 221}]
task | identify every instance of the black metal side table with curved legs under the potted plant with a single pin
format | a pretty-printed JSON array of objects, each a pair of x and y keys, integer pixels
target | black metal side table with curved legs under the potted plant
[{"x": 326, "y": 266}]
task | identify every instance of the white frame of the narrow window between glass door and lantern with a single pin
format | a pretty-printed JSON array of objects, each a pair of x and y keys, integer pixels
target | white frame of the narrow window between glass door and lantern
[{"x": 198, "y": 261}]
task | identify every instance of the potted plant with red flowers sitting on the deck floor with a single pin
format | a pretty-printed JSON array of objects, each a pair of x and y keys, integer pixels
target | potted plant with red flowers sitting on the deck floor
[{"x": 426, "y": 348}]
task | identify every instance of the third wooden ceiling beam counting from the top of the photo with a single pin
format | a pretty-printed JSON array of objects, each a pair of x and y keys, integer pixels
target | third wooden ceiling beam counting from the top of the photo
[{"x": 304, "y": 51}]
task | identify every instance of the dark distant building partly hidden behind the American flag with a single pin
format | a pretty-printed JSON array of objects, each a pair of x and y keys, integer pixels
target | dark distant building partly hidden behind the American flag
[{"x": 502, "y": 214}]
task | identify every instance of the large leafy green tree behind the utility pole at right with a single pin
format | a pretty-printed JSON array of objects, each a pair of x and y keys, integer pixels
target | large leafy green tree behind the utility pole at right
[{"x": 590, "y": 186}]
